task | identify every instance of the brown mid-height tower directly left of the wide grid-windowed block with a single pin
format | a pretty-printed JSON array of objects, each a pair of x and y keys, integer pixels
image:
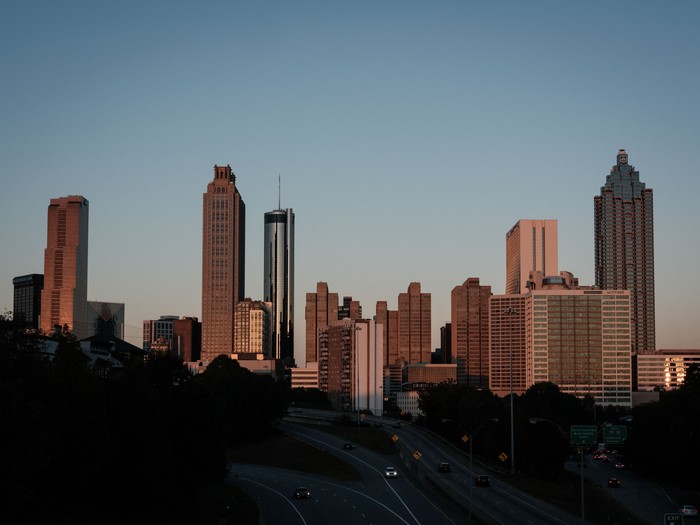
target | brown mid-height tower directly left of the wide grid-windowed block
[{"x": 470, "y": 332}]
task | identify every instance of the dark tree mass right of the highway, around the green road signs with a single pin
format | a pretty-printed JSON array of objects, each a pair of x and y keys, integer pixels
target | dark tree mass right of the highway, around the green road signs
[{"x": 662, "y": 436}]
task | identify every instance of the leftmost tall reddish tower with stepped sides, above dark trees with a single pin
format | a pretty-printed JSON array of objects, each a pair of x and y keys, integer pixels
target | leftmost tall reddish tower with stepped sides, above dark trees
[{"x": 64, "y": 298}]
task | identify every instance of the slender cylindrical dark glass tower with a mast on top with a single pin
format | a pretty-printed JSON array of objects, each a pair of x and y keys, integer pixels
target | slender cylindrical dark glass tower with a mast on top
[{"x": 278, "y": 286}]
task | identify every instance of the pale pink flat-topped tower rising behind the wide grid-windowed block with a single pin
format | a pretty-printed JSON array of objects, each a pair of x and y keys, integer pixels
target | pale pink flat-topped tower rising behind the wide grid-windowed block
[{"x": 531, "y": 245}]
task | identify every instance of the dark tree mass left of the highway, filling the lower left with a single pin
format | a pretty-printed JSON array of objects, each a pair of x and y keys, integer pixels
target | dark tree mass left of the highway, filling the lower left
[{"x": 138, "y": 447}]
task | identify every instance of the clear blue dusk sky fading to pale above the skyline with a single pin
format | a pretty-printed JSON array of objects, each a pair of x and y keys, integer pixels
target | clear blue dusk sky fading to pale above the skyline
[{"x": 409, "y": 138}]
